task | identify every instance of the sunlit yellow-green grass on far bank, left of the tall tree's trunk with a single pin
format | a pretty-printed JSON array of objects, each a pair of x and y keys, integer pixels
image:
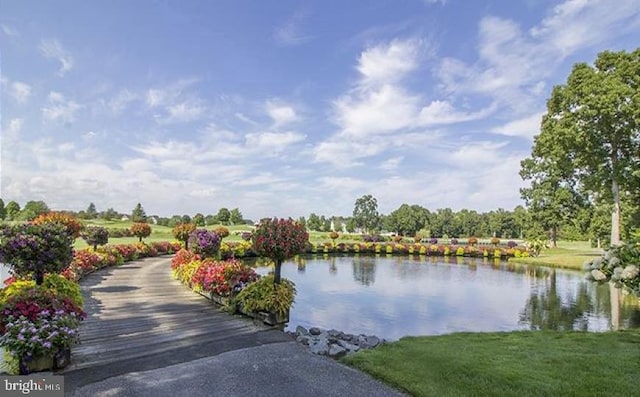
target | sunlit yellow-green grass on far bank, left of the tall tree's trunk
[{"x": 568, "y": 254}]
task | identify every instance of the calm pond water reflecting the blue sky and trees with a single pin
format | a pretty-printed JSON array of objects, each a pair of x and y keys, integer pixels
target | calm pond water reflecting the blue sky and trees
[{"x": 393, "y": 297}]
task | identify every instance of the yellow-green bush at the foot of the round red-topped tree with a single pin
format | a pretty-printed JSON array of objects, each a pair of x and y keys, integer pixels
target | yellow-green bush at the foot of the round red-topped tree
[{"x": 265, "y": 295}]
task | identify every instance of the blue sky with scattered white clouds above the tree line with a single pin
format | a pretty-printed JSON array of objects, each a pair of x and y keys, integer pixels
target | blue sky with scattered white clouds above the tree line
[{"x": 283, "y": 108}]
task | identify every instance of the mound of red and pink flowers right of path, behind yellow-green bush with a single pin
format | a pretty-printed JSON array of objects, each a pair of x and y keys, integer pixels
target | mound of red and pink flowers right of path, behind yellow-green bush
[{"x": 222, "y": 278}]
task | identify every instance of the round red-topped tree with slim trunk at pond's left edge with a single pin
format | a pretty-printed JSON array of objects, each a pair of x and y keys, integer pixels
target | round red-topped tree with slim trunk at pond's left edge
[{"x": 279, "y": 240}]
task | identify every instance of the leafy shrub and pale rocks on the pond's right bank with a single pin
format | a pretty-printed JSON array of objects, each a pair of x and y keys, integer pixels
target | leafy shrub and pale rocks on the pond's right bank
[{"x": 620, "y": 265}]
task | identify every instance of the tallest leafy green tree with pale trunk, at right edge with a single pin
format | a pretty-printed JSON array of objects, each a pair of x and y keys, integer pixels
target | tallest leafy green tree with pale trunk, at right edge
[{"x": 593, "y": 121}]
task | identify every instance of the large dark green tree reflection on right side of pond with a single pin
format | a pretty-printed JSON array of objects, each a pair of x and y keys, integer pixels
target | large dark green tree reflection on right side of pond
[{"x": 546, "y": 310}]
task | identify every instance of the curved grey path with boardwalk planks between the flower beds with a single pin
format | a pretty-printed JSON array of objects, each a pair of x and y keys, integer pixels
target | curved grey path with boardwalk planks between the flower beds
[{"x": 148, "y": 335}]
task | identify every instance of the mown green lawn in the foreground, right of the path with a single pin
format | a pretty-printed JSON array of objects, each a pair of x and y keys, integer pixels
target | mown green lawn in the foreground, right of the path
[{"x": 539, "y": 363}]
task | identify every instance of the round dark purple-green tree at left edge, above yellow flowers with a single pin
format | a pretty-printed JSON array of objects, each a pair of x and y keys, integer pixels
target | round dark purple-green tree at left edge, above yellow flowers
[{"x": 33, "y": 250}]
